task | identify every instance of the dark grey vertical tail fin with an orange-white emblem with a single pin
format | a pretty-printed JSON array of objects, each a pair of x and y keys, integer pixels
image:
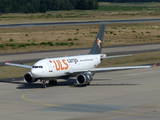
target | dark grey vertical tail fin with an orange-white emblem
[{"x": 97, "y": 46}]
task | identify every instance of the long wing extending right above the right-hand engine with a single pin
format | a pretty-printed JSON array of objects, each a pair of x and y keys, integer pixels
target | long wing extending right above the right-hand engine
[{"x": 107, "y": 69}]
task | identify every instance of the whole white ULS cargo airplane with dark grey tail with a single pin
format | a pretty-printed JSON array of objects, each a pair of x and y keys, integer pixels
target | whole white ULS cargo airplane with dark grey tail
[{"x": 83, "y": 67}]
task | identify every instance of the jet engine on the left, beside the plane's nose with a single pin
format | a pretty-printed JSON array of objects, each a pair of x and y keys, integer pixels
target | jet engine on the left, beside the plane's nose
[{"x": 28, "y": 78}]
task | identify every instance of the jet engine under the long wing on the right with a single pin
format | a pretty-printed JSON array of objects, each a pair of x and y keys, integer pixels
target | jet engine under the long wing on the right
[{"x": 84, "y": 78}]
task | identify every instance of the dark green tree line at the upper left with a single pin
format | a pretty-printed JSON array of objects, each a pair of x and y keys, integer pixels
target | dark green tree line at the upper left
[{"x": 33, "y": 6}]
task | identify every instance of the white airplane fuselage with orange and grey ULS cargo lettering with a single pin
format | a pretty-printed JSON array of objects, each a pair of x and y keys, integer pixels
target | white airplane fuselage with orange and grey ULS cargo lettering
[{"x": 56, "y": 67}]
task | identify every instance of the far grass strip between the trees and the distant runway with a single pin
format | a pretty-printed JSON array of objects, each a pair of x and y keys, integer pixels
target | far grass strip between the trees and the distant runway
[{"x": 106, "y": 11}]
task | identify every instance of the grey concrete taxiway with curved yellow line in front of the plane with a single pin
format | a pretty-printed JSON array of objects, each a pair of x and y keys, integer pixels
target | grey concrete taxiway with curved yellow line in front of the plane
[{"x": 115, "y": 95}]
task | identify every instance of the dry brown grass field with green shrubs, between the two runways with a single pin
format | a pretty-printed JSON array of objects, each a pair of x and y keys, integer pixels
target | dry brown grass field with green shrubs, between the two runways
[{"x": 79, "y": 36}]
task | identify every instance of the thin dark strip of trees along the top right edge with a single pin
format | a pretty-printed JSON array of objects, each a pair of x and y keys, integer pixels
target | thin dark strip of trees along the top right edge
[{"x": 129, "y": 1}]
